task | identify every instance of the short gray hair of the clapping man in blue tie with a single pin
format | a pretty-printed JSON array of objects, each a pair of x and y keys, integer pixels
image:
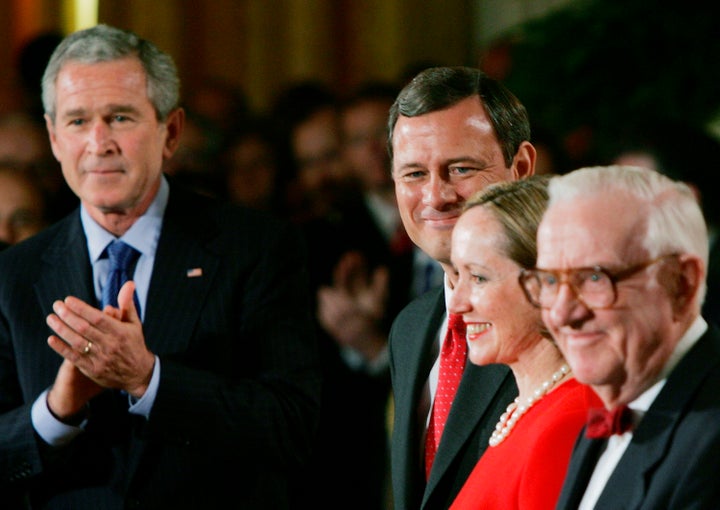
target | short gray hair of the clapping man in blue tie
[{"x": 103, "y": 43}]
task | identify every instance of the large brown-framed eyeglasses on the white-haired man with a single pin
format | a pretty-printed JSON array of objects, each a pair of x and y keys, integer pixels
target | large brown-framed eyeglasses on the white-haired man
[{"x": 594, "y": 286}]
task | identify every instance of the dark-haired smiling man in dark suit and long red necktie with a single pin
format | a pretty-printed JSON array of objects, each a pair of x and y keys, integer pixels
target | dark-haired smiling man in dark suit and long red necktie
[{"x": 453, "y": 131}]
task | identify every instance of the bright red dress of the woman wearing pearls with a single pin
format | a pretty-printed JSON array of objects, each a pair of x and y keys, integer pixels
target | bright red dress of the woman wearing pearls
[{"x": 527, "y": 469}]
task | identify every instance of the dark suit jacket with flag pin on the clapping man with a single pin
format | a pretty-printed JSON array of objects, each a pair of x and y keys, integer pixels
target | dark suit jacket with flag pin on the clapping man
[{"x": 236, "y": 410}]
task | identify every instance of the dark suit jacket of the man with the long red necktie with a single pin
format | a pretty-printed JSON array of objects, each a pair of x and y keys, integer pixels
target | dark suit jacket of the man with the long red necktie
[{"x": 483, "y": 395}]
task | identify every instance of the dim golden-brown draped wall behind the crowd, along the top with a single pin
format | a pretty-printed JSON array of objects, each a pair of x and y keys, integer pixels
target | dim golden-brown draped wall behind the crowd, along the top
[{"x": 261, "y": 45}]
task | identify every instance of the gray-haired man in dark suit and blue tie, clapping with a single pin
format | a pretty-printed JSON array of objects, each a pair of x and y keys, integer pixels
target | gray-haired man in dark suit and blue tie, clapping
[{"x": 198, "y": 384}]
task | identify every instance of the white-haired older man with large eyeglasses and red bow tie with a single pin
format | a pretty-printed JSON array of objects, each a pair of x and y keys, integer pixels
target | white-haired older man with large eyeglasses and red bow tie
[{"x": 620, "y": 279}]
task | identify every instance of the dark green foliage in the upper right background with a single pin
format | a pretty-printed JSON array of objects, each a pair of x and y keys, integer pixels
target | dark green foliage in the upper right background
[{"x": 613, "y": 63}]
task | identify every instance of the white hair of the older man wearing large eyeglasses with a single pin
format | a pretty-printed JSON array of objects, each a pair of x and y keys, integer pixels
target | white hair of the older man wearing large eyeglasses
[{"x": 674, "y": 221}]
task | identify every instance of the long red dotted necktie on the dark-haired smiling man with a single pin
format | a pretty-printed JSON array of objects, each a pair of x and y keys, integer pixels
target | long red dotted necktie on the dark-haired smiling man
[{"x": 452, "y": 363}]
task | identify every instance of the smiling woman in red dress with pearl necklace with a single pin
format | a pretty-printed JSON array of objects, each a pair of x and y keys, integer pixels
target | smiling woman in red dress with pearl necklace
[{"x": 492, "y": 242}]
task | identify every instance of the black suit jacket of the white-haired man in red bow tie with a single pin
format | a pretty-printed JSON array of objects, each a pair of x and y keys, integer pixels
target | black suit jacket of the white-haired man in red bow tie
[{"x": 673, "y": 459}]
